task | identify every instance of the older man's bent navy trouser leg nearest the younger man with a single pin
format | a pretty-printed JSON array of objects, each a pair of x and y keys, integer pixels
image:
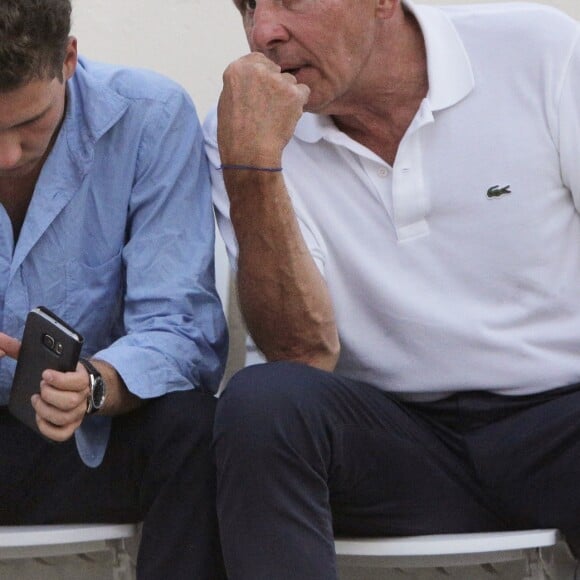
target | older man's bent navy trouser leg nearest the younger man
[{"x": 297, "y": 448}]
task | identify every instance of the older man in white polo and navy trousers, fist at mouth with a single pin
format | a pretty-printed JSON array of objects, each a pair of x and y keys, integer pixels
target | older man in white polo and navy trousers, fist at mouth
[{"x": 408, "y": 259}]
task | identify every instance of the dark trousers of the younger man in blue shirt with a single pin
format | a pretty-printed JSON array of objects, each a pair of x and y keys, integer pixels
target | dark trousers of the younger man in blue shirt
[{"x": 158, "y": 469}]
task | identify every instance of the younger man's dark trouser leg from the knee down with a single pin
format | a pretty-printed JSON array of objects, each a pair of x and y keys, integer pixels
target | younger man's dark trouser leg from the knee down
[{"x": 180, "y": 539}]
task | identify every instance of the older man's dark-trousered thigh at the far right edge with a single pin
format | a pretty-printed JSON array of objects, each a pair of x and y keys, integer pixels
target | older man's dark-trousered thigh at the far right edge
[{"x": 530, "y": 459}]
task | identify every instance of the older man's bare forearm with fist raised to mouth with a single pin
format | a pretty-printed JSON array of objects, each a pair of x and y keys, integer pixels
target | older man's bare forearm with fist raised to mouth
[{"x": 283, "y": 297}]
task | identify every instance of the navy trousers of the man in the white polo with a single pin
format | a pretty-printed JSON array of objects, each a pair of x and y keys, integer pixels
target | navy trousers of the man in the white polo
[{"x": 303, "y": 455}]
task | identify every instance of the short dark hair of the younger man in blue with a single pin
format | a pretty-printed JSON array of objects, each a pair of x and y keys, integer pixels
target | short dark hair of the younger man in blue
[{"x": 33, "y": 40}]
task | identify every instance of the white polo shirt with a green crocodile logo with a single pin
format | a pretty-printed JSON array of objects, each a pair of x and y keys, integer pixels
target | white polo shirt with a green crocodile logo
[{"x": 458, "y": 267}]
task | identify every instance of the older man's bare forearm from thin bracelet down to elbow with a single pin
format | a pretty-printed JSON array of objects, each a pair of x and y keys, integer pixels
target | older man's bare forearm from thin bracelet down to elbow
[{"x": 283, "y": 297}]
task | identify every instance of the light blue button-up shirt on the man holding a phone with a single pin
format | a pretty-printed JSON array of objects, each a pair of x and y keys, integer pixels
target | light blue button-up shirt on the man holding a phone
[{"x": 119, "y": 240}]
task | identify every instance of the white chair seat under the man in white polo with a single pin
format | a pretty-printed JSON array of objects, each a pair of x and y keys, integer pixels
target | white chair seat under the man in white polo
[{"x": 531, "y": 554}]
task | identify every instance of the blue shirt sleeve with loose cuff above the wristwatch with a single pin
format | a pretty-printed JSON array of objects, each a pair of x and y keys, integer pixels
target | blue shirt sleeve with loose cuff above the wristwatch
[{"x": 173, "y": 336}]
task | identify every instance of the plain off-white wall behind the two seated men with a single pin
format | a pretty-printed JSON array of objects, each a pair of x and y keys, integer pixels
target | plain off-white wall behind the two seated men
[{"x": 190, "y": 40}]
